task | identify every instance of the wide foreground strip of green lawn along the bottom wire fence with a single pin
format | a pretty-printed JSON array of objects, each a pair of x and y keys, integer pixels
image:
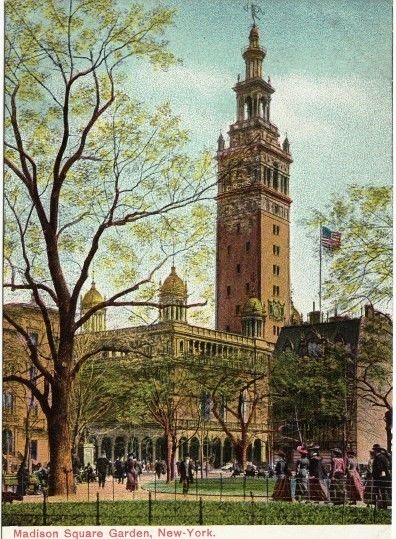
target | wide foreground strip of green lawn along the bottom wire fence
[{"x": 136, "y": 513}]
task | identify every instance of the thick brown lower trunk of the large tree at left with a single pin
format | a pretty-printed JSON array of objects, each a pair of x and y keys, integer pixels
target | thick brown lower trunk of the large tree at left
[{"x": 61, "y": 478}]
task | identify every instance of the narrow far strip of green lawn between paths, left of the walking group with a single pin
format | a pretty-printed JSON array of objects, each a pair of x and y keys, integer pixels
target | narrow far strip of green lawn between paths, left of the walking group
[{"x": 215, "y": 486}]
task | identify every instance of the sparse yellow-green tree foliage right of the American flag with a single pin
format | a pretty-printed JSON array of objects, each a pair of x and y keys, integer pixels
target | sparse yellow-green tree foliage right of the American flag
[{"x": 361, "y": 269}]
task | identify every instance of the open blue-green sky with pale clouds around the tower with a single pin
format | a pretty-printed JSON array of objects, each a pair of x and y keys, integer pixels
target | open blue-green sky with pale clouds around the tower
[{"x": 330, "y": 63}]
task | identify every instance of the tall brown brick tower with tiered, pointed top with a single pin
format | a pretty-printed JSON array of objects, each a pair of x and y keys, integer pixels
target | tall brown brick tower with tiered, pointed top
[{"x": 253, "y": 207}]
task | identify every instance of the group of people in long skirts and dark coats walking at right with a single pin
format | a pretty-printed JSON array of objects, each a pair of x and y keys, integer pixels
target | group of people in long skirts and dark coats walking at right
[{"x": 311, "y": 481}]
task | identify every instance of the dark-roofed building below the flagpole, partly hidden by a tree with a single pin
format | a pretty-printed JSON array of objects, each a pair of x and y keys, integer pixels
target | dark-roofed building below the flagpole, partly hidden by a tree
[{"x": 364, "y": 423}]
